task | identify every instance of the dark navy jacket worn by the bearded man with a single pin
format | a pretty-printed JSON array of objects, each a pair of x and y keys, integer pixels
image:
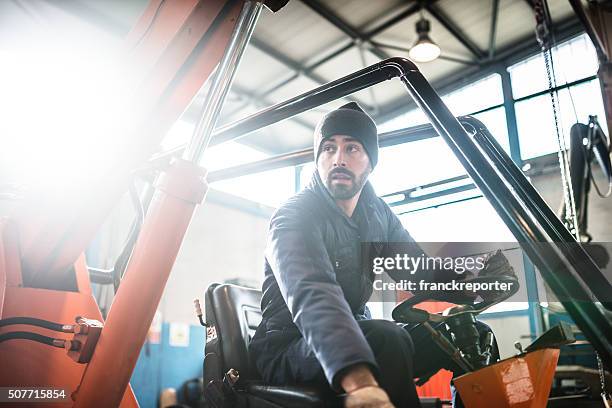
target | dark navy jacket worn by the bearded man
[{"x": 314, "y": 285}]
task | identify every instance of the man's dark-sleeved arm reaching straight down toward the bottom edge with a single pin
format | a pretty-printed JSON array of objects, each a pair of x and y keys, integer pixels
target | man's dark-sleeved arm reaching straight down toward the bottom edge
[{"x": 306, "y": 279}]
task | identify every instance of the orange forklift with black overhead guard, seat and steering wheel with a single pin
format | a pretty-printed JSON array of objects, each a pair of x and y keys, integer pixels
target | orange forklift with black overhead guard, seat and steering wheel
[{"x": 52, "y": 333}]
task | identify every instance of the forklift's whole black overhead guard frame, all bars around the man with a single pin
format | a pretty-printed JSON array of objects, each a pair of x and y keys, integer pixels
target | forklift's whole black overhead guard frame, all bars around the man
[{"x": 564, "y": 264}]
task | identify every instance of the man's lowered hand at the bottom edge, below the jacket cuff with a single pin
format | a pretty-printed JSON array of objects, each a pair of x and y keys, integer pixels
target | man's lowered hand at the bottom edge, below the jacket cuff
[{"x": 362, "y": 389}]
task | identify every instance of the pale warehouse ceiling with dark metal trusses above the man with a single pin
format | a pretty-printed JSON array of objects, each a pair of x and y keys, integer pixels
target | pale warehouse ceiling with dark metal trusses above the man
[{"x": 311, "y": 42}]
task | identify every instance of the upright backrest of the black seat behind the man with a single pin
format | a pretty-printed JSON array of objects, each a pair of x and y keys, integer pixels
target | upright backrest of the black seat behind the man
[{"x": 236, "y": 314}]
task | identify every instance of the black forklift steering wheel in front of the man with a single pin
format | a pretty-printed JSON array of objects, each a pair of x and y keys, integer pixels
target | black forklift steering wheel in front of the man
[{"x": 405, "y": 312}]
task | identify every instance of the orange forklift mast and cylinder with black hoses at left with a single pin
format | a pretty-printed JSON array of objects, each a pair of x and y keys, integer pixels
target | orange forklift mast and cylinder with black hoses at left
[{"x": 175, "y": 47}]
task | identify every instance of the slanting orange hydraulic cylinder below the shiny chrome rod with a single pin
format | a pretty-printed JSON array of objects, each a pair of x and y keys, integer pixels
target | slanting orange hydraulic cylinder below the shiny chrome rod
[{"x": 178, "y": 191}]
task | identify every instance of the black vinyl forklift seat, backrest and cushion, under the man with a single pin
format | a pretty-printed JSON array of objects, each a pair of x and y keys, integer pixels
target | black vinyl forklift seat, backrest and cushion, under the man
[{"x": 233, "y": 313}]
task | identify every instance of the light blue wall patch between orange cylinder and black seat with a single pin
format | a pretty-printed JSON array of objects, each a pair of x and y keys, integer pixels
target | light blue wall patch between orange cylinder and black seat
[{"x": 161, "y": 366}]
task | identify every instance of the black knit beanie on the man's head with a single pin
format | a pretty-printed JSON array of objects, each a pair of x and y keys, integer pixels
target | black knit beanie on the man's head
[{"x": 349, "y": 120}]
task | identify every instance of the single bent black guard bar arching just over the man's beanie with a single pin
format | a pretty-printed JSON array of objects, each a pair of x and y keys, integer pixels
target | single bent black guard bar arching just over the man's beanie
[{"x": 524, "y": 224}]
